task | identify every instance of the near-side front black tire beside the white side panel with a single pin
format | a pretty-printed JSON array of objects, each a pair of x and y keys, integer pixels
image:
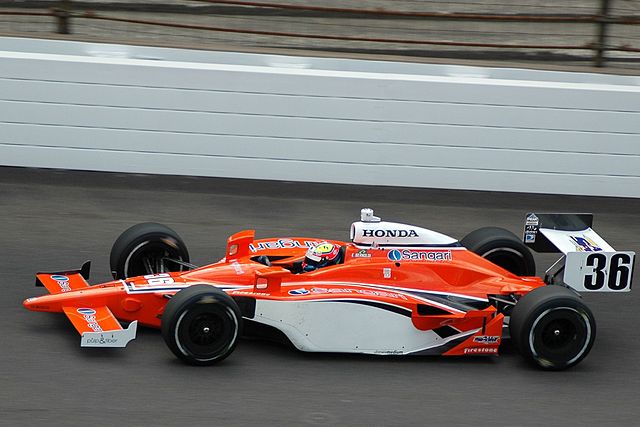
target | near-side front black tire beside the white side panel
[{"x": 201, "y": 325}]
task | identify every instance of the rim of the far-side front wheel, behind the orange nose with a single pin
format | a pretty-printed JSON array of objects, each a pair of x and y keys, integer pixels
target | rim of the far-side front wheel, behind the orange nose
[{"x": 148, "y": 258}]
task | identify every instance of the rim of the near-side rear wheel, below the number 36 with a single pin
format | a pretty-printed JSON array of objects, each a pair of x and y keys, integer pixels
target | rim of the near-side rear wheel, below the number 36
[{"x": 560, "y": 337}]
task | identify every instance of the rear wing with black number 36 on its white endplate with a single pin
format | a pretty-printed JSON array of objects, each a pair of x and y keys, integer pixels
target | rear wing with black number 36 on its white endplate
[{"x": 588, "y": 263}]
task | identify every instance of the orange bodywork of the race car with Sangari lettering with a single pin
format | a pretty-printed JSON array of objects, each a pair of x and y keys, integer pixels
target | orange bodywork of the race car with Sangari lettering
[{"x": 435, "y": 287}]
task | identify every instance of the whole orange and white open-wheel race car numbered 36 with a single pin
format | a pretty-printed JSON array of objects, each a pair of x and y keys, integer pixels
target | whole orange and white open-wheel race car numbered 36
[{"x": 393, "y": 289}]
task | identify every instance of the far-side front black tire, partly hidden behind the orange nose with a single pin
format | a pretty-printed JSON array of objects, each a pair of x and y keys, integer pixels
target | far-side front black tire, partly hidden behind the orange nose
[{"x": 139, "y": 251}]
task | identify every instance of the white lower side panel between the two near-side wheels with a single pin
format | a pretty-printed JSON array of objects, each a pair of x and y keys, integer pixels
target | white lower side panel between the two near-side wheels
[{"x": 342, "y": 326}]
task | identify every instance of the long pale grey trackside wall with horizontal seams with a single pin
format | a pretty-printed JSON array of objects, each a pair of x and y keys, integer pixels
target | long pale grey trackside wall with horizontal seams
[{"x": 134, "y": 109}]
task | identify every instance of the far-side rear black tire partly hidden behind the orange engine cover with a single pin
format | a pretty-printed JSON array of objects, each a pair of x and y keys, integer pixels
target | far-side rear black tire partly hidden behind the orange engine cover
[{"x": 502, "y": 248}]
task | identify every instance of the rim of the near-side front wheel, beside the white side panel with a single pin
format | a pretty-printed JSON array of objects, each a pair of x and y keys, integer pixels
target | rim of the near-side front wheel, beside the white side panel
[{"x": 206, "y": 331}]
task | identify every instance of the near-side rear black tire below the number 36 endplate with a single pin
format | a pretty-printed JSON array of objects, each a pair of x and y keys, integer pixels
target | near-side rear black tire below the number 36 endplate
[{"x": 552, "y": 328}]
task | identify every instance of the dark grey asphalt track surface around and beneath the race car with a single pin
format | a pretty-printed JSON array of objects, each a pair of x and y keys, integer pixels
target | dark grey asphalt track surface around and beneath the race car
[{"x": 56, "y": 220}]
